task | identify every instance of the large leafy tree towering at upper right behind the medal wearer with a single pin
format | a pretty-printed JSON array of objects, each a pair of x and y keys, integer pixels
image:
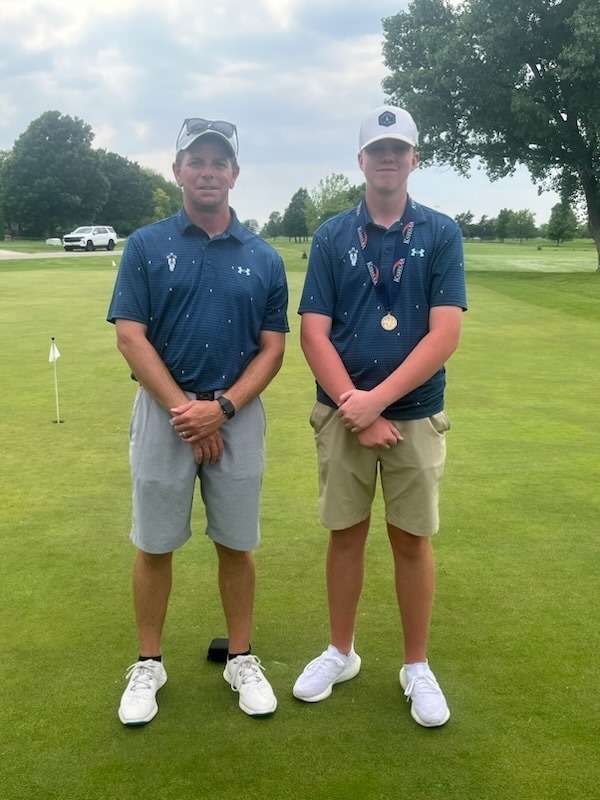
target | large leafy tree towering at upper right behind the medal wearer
[{"x": 511, "y": 82}]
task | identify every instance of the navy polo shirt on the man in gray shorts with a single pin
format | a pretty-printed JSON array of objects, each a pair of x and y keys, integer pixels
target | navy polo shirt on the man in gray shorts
[{"x": 204, "y": 301}]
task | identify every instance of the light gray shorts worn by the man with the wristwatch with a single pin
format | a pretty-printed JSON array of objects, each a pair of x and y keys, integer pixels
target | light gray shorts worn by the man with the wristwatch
[{"x": 164, "y": 473}]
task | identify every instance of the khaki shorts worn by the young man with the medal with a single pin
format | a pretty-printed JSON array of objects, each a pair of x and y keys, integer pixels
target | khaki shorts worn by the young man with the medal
[{"x": 410, "y": 472}]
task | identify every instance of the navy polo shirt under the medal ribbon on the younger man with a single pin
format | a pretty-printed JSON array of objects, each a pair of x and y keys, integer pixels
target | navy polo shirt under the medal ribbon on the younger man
[{"x": 339, "y": 286}]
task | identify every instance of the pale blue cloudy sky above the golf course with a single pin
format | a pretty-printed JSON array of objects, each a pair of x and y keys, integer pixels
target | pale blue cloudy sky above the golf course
[{"x": 296, "y": 76}]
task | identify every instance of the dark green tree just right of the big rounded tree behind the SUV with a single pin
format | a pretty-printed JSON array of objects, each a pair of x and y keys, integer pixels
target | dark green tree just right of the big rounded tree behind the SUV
[{"x": 130, "y": 200}]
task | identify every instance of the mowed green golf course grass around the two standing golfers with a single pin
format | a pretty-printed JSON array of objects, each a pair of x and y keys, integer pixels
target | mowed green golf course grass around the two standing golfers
[{"x": 515, "y": 636}]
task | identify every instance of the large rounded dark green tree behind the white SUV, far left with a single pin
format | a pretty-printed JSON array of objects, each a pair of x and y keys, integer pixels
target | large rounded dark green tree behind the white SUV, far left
[{"x": 53, "y": 179}]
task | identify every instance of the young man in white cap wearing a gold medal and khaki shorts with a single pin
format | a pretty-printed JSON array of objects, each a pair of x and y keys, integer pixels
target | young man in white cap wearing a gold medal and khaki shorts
[{"x": 382, "y": 307}]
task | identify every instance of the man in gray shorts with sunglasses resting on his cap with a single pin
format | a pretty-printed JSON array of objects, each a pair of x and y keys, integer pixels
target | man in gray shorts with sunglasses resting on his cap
[{"x": 200, "y": 312}]
